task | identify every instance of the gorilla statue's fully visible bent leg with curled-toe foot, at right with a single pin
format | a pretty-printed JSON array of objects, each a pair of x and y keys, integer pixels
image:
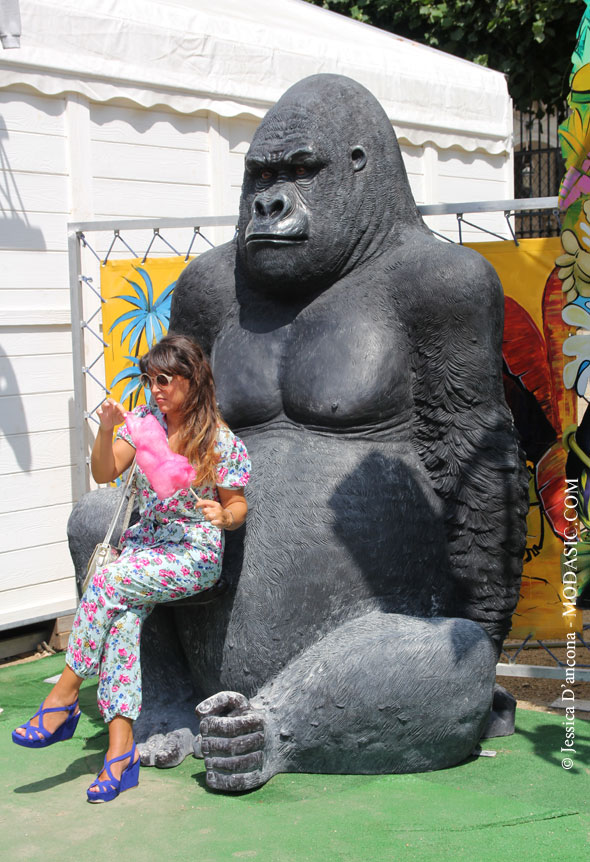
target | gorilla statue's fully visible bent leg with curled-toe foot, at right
[{"x": 381, "y": 694}]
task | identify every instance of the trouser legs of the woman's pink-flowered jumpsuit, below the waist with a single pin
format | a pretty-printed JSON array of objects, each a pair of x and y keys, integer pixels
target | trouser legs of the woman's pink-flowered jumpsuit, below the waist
[{"x": 105, "y": 638}]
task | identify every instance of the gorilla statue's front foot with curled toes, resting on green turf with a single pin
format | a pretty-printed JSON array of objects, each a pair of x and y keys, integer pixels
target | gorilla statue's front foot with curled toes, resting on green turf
[{"x": 232, "y": 742}]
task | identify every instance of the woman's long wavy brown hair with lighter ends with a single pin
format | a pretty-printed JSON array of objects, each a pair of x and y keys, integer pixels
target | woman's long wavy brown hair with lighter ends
[{"x": 180, "y": 355}]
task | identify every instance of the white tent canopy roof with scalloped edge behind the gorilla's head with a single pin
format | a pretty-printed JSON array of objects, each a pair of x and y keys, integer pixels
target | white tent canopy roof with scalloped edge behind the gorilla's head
[{"x": 238, "y": 59}]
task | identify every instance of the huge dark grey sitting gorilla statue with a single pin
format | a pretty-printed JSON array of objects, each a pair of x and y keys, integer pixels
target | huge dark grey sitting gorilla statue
[{"x": 359, "y": 358}]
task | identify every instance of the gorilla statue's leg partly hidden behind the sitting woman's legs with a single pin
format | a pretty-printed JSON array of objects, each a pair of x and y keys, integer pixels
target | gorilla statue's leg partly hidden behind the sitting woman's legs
[{"x": 167, "y": 724}]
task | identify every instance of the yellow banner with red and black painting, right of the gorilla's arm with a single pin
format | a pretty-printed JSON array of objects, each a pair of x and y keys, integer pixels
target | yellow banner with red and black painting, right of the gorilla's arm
[{"x": 543, "y": 408}]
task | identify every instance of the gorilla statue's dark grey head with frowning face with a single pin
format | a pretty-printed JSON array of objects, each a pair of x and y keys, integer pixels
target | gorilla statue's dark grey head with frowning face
[{"x": 325, "y": 188}]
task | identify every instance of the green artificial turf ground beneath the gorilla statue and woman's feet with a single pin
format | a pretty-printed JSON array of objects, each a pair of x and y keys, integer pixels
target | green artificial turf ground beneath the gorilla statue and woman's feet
[{"x": 520, "y": 804}]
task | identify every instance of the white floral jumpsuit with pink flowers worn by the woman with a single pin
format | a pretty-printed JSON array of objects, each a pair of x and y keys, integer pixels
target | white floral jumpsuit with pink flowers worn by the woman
[{"x": 171, "y": 553}]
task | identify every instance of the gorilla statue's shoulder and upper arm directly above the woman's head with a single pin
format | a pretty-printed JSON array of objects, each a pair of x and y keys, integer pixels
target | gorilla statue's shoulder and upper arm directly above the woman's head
[{"x": 203, "y": 295}]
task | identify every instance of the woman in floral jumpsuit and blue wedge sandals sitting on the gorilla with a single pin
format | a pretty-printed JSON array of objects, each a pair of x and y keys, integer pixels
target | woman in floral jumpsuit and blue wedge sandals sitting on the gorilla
[{"x": 173, "y": 552}]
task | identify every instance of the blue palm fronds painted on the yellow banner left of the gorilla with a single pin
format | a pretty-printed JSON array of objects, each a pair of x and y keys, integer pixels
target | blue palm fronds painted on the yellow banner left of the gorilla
[{"x": 149, "y": 318}]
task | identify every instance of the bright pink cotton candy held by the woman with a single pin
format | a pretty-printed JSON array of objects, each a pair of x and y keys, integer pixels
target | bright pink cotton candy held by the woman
[{"x": 166, "y": 471}]
